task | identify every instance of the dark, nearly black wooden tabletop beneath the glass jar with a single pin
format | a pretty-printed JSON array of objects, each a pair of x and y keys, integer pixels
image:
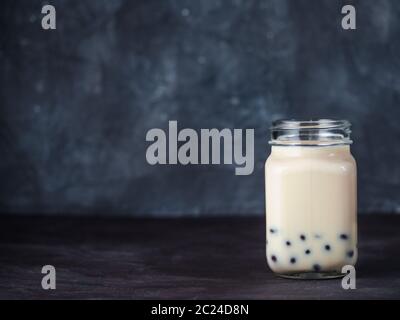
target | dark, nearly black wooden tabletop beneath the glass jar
[{"x": 215, "y": 258}]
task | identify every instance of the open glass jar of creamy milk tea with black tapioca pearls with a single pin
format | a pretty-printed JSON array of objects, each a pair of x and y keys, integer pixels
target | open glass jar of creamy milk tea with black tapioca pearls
[{"x": 311, "y": 199}]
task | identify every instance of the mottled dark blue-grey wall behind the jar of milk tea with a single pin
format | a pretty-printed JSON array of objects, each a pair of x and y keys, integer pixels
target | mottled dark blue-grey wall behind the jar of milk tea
[{"x": 76, "y": 103}]
